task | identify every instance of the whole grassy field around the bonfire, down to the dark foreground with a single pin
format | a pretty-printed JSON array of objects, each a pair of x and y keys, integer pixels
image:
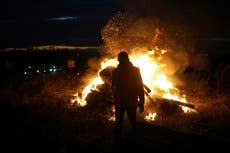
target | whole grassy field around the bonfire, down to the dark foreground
[{"x": 37, "y": 116}]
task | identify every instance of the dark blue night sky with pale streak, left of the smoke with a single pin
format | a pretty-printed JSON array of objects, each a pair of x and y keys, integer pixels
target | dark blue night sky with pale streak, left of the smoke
[{"x": 69, "y": 22}]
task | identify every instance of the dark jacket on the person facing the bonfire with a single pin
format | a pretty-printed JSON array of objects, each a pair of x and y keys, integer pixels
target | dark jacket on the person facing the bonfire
[{"x": 127, "y": 85}]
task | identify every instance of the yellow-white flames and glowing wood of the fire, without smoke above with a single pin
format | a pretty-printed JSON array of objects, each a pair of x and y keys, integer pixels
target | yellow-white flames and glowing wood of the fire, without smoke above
[{"x": 159, "y": 86}]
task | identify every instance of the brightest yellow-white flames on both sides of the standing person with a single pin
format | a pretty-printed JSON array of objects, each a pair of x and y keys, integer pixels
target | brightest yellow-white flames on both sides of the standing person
[{"x": 152, "y": 76}]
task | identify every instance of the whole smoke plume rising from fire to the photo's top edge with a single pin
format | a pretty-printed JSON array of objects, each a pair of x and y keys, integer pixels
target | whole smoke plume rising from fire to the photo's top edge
[{"x": 177, "y": 25}]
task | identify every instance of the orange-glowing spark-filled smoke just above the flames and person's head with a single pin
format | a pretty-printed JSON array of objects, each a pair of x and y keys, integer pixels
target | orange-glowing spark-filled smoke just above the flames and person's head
[{"x": 136, "y": 34}]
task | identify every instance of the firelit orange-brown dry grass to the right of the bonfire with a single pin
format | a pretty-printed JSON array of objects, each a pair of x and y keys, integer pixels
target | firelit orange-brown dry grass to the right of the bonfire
[{"x": 211, "y": 98}]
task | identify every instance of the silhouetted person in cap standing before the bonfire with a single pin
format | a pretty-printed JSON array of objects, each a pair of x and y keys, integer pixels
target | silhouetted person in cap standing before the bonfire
[{"x": 128, "y": 94}]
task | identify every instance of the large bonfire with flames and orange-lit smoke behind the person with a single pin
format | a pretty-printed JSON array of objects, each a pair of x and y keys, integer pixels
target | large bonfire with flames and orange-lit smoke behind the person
[{"x": 141, "y": 41}]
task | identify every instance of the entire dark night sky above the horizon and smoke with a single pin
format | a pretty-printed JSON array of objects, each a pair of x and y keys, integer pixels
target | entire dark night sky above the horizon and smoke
[{"x": 79, "y": 22}]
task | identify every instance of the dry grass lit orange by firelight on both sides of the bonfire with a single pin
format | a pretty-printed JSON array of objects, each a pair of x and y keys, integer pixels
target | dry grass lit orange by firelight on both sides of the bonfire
[{"x": 50, "y": 95}]
